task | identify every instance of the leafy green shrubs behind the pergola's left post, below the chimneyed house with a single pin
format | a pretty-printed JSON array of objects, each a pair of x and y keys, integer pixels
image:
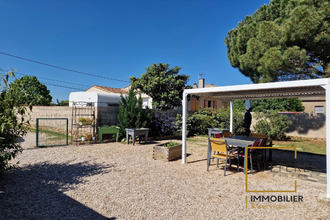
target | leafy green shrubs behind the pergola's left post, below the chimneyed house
[{"x": 198, "y": 122}]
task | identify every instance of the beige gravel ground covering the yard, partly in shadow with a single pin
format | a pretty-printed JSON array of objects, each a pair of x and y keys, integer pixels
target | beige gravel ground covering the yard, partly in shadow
[{"x": 119, "y": 181}]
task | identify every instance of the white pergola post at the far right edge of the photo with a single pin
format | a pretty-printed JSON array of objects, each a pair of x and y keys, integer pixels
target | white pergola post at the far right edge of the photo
[{"x": 327, "y": 126}]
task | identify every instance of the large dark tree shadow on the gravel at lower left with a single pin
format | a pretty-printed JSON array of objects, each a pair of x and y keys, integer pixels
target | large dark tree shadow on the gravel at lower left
[{"x": 37, "y": 191}]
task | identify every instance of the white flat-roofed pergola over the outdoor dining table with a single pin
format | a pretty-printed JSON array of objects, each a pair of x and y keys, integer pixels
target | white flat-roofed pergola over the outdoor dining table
[{"x": 288, "y": 89}]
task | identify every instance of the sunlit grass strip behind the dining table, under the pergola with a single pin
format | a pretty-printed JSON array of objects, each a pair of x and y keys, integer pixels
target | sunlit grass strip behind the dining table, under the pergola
[{"x": 315, "y": 146}]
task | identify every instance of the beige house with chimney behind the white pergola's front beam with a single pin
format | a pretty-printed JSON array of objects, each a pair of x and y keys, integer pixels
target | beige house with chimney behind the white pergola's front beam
[{"x": 197, "y": 102}]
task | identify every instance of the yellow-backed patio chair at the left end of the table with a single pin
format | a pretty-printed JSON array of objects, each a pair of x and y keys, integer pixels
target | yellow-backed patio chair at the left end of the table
[{"x": 221, "y": 151}]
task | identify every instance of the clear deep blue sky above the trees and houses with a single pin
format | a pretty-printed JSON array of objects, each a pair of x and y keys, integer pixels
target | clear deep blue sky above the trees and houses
[{"x": 119, "y": 39}]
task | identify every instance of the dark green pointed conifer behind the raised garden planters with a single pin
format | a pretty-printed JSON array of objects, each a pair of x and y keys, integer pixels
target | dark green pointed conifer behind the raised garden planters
[{"x": 131, "y": 114}]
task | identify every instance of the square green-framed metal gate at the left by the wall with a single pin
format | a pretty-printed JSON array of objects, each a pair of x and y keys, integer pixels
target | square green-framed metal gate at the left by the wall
[{"x": 51, "y": 132}]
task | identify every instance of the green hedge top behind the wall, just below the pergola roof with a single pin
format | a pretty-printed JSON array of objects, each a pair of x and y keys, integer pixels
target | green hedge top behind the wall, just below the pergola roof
[{"x": 260, "y": 105}]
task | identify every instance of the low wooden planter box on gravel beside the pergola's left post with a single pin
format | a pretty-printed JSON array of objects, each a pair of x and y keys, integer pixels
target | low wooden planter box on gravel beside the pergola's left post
[{"x": 167, "y": 153}]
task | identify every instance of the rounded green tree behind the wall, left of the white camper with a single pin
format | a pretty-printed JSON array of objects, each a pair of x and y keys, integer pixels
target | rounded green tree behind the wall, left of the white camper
[{"x": 31, "y": 92}]
